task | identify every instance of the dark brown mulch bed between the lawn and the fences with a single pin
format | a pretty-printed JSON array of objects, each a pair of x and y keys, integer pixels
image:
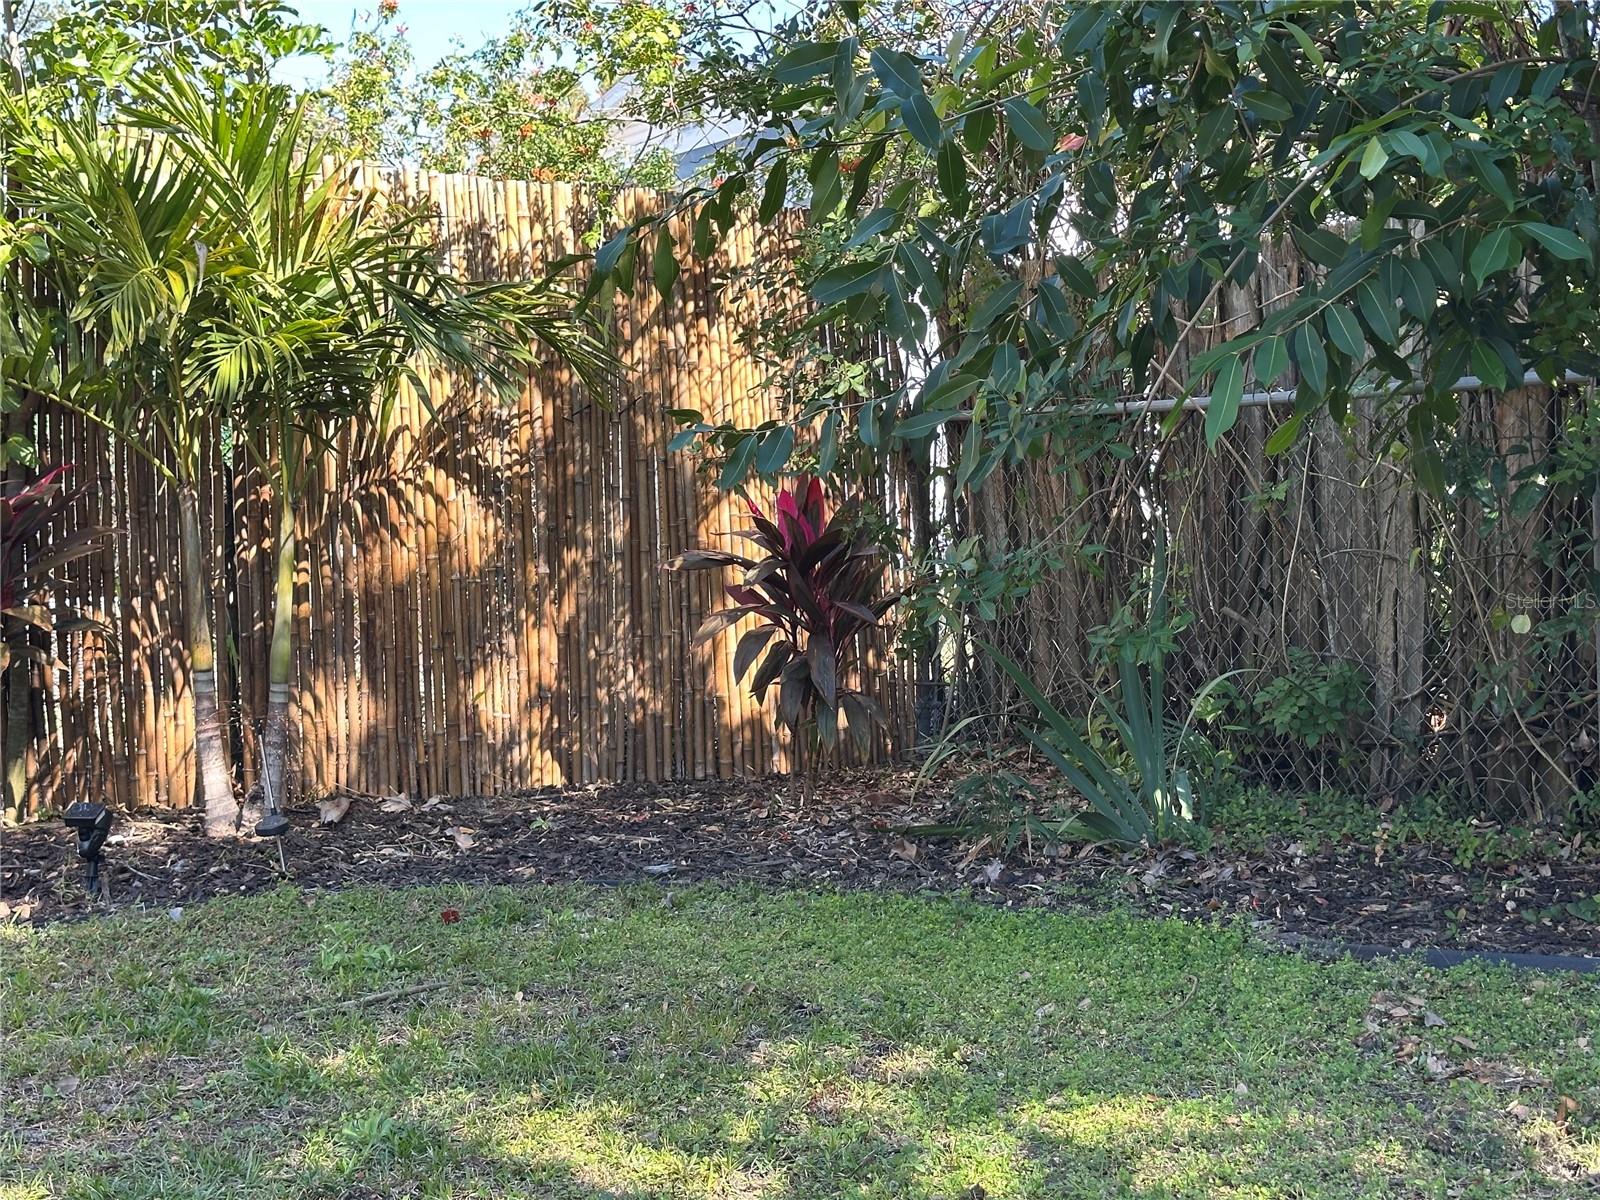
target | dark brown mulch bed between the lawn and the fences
[{"x": 849, "y": 836}]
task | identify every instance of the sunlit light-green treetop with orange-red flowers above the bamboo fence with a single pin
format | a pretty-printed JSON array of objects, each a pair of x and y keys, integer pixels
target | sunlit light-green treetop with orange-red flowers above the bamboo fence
[{"x": 574, "y": 90}]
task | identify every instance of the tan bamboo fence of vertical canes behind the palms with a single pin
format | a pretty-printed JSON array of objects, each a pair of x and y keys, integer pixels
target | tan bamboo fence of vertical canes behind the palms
[{"x": 481, "y": 604}]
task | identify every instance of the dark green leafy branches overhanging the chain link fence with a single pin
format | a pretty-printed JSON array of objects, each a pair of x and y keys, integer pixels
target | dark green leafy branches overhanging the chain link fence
[{"x": 1041, "y": 204}]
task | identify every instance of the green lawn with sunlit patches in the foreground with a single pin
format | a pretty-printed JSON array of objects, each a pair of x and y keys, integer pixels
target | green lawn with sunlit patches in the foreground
[{"x": 737, "y": 1044}]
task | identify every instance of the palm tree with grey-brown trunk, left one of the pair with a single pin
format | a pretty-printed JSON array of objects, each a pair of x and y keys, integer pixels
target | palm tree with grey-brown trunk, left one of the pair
[{"x": 130, "y": 263}]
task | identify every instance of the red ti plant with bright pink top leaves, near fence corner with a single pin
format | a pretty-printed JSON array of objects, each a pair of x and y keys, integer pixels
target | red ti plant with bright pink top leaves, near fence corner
[{"x": 817, "y": 588}]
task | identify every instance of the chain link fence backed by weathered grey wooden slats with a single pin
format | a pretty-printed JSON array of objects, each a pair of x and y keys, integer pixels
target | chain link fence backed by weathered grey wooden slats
[{"x": 1340, "y": 630}]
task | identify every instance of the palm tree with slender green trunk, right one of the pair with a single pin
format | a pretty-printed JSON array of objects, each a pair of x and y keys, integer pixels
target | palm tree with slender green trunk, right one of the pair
[{"x": 334, "y": 303}]
